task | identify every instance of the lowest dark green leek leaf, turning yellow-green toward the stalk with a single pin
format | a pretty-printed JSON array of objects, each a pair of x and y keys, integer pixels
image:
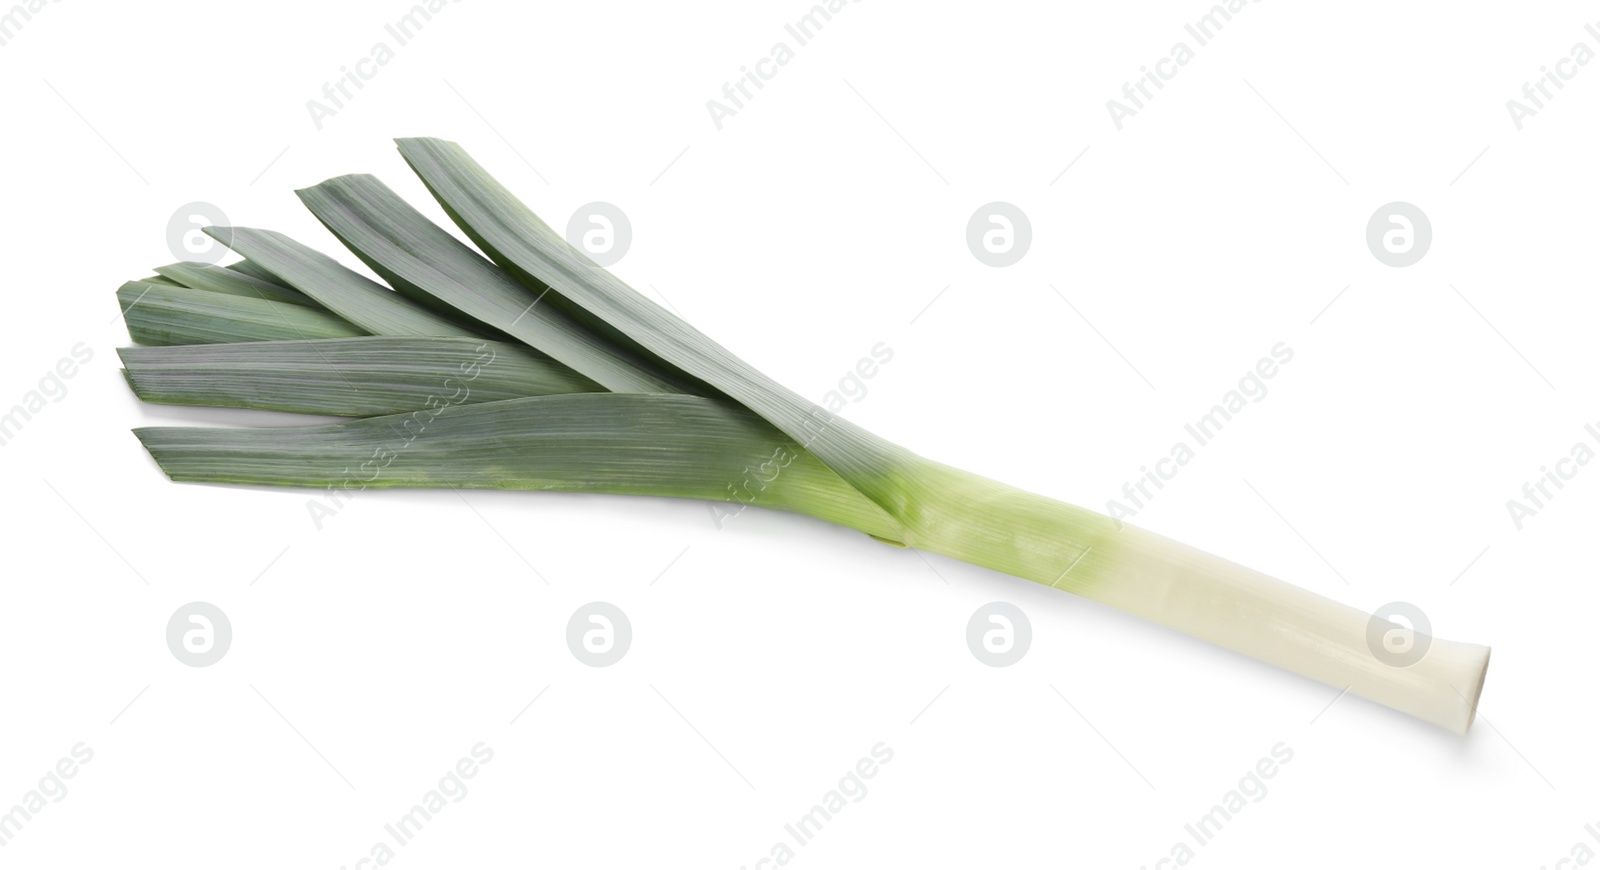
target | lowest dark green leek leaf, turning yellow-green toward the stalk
[{"x": 623, "y": 444}]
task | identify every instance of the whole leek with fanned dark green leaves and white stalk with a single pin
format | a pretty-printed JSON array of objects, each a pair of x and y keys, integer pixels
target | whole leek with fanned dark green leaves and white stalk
[{"x": 598, "y": 389}]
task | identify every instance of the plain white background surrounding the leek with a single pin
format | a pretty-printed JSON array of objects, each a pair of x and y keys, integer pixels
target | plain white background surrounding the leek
[{"x": 822, "y": 220}]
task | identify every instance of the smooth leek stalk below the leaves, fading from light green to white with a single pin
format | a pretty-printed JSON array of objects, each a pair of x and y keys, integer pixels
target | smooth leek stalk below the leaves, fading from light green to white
[{"x": 977, "y": 521}]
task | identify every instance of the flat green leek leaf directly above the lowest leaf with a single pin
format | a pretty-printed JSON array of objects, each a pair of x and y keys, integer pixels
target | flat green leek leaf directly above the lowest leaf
[{"x": 350, "y": 378}]
